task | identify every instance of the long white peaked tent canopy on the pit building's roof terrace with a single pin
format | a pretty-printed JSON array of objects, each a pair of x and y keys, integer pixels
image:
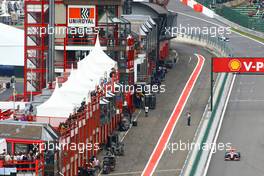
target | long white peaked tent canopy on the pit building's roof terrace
[{"x": 81, "y": 81}]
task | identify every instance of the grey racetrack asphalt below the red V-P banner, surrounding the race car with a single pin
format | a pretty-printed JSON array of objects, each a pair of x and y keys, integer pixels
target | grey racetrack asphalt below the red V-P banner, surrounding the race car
[{"x": 243, "y": 127}]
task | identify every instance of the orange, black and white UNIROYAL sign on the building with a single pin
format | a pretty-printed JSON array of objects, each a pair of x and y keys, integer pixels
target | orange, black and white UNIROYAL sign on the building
[{"x": 81, "y": 16}]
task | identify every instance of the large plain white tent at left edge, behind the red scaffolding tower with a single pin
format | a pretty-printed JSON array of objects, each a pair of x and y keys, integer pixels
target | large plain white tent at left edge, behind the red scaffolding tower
[{"x": 11, "y": 45}]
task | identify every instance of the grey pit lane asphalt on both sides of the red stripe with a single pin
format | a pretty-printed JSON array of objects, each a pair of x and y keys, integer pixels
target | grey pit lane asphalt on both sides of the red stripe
[{"x": 141, "y": 140}]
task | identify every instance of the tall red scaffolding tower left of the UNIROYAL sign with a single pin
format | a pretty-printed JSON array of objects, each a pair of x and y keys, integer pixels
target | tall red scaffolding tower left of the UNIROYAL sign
[{"x": 36, "y": 46}]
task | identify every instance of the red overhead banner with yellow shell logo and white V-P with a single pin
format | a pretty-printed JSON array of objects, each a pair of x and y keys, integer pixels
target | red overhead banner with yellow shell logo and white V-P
[{"x": 238, "y": 65}]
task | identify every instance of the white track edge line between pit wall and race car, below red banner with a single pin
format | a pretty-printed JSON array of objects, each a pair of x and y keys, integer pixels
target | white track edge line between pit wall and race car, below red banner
[{"x": 220, "y": 125}]
